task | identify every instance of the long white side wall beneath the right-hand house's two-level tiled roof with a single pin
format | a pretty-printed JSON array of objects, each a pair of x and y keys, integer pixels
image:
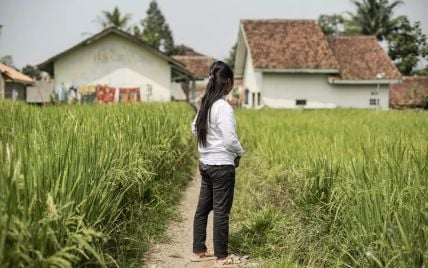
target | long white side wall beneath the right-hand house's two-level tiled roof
[{"x": 282, "y": 91}]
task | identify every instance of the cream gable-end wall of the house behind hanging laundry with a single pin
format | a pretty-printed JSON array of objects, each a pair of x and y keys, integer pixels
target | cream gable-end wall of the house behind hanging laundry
[{"x": 117, "y": 62}]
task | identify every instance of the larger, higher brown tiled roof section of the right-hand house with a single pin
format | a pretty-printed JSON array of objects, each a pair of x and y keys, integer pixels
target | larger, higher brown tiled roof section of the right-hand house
[{"x": 288, "y": 44}]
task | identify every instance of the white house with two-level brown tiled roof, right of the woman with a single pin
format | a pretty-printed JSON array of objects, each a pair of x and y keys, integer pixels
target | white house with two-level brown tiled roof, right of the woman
[{"x": 292, "y": 64}]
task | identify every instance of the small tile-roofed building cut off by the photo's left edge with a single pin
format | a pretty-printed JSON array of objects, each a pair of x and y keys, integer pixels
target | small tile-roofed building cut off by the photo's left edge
[{"x": 13, "y": 84}]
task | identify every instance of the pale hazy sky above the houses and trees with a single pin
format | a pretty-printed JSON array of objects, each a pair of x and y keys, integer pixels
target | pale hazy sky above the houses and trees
[{"x": 35, "y": 30}]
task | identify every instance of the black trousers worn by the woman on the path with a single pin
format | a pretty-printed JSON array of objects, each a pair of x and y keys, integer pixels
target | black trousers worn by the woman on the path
[{"x": 216, "y": 194}]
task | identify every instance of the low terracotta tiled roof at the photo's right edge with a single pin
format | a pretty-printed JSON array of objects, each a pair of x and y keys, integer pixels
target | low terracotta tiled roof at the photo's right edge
[{"x": 409, "y": 93}]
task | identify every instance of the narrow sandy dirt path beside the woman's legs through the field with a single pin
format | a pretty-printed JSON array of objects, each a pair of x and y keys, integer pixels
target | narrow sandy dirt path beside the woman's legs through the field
[{"x": 177, "y": 251}]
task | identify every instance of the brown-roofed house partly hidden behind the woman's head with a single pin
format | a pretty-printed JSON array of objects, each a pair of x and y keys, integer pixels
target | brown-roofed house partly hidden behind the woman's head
[{"x": 199, "y": 66}]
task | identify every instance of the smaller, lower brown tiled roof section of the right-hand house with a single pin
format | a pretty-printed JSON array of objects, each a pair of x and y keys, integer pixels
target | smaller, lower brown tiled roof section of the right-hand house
[{"x": 362, "y": 58}]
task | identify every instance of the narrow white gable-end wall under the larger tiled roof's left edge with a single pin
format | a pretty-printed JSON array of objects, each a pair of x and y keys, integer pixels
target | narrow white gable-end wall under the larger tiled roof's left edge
[{"x": 252, "y": 81}]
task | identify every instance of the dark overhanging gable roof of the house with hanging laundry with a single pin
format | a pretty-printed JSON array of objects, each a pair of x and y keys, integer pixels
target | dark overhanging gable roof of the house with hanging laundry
[{"x": 48, "y": 64}]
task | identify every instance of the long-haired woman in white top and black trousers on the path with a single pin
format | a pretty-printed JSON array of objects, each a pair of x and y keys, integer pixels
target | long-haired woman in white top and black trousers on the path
[{"x": 220, "y": 151}]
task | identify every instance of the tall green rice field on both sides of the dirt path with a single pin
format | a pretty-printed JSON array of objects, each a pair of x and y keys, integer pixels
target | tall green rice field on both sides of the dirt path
[{"x": 94, "y": 185}]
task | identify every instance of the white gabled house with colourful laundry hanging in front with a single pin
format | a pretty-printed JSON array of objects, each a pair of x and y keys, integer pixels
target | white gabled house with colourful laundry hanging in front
[{"x": 117, "y": 59}]
